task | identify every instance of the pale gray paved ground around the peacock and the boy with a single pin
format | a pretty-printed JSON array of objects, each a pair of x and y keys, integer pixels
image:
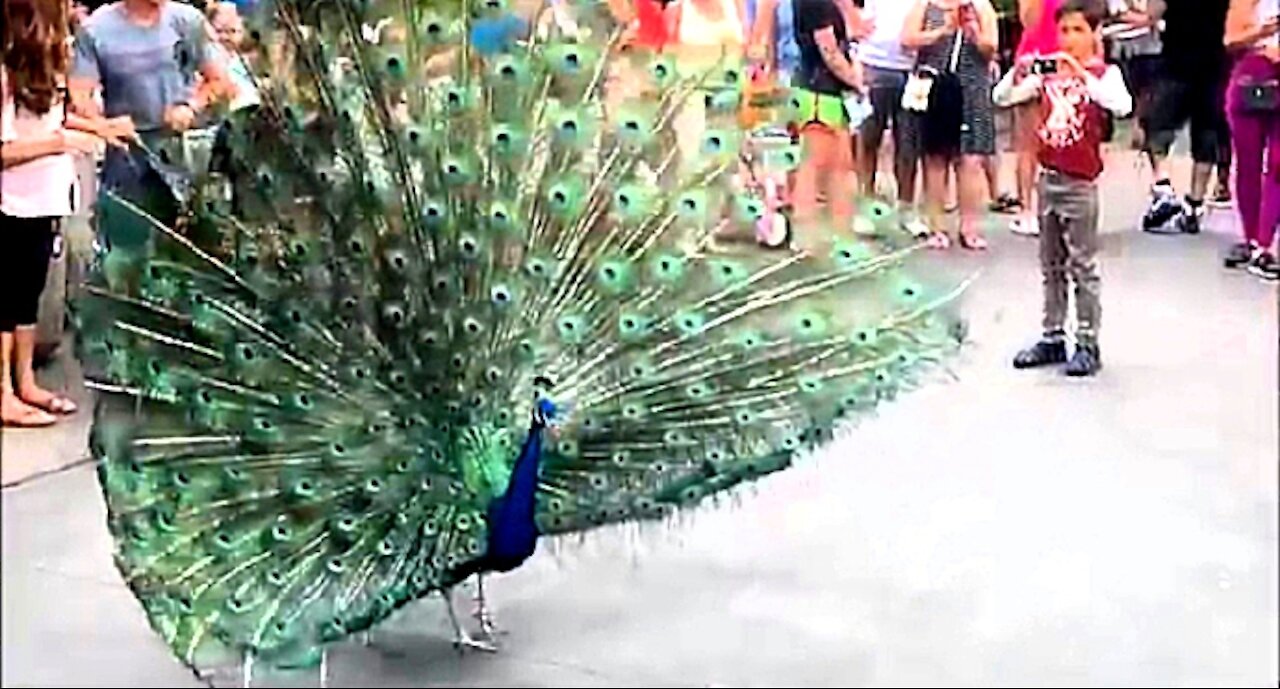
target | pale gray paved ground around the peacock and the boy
[{"x": 1002, "y": 530}]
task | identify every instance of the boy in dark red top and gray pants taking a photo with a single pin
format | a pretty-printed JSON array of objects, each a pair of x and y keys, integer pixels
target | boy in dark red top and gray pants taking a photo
[{"x": 1073, "y": 88}]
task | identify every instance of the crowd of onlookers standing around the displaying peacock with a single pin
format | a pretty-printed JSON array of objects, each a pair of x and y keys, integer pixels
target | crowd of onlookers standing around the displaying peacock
[{"x": 926, "y": 76}]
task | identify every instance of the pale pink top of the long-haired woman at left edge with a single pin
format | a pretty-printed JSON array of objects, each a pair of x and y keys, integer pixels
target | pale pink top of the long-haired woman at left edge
[{"x": 43, "y": 188}]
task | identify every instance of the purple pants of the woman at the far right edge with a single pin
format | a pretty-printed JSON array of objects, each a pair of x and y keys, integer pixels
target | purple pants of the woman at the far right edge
[{"x": 1256, "y": 138}]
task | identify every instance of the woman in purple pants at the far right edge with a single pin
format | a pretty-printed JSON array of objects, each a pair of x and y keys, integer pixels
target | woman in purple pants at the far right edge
[{"x": 1254, "y": 112}]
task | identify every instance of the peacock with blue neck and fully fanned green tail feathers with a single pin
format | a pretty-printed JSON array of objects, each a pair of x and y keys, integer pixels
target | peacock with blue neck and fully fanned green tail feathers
[{"x": 459, "y": 291}]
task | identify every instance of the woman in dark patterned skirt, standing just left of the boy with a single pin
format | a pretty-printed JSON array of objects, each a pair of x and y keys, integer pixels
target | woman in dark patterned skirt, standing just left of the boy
[{"x": 961, "y": 38}]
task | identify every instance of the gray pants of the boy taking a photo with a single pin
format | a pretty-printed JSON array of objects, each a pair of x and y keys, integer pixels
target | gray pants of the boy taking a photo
[{"x": 1069, "y": 247}]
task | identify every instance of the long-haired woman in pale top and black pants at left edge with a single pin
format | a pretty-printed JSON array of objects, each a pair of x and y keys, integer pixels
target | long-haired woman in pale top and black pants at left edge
[{"x": 38, "y": 185}]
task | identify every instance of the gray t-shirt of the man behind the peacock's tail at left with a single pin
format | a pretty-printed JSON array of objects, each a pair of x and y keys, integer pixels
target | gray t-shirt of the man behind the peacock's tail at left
[{"x": 143, "y": 70}]
